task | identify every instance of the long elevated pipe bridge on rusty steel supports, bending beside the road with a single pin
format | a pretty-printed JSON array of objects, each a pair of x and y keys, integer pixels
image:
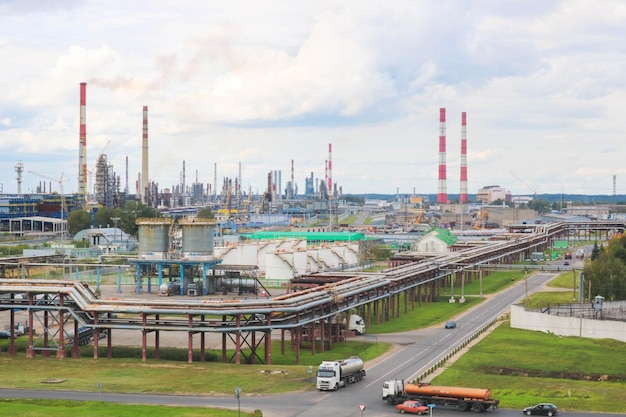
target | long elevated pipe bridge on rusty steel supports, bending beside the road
[{"x": 312, "y": 313}]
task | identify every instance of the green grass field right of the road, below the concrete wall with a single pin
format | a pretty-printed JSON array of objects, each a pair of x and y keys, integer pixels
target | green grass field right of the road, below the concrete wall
[{"x": 524, "y": 367}]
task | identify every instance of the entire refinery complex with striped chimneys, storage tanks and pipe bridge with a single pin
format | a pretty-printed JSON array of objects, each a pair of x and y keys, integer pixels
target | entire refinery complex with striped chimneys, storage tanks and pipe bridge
[{"x": 280, "y": 263}]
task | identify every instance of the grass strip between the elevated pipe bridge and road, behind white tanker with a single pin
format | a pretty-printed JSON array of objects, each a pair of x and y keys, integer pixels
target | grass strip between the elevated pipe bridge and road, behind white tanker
[{"x": 198, "y": 378}]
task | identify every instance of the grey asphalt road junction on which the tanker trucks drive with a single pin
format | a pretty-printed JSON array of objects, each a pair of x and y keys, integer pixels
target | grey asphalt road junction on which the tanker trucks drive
[{"x": 419, "y": 350}]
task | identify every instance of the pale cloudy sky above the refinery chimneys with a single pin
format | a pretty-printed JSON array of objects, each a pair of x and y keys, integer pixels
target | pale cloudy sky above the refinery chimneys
[{"x": 258, "y": 84}]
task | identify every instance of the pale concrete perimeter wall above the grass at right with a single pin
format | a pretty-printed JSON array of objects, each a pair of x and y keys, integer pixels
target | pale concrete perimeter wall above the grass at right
[{"x": 567, "y": 326}]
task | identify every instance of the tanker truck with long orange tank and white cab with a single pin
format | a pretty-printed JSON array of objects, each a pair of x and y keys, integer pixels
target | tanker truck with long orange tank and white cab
[{"x": 463, "y": 399}]
